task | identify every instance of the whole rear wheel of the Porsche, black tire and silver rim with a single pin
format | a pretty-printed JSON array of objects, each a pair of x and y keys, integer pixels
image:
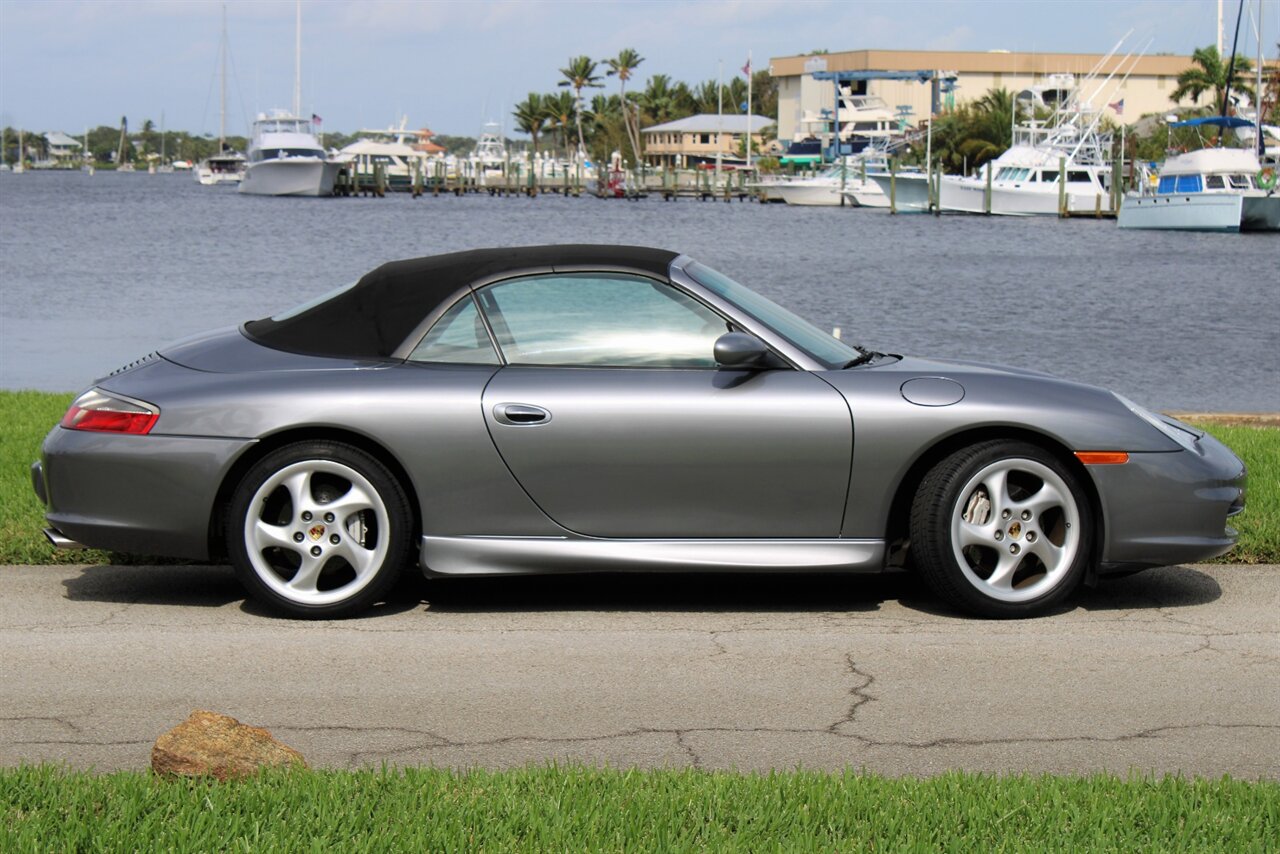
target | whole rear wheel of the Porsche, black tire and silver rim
[{"x": 319, "y": 531}]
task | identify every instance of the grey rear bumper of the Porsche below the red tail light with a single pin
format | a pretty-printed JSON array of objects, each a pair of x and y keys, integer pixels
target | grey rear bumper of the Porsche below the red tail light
[{"x": 143, "y": 495}]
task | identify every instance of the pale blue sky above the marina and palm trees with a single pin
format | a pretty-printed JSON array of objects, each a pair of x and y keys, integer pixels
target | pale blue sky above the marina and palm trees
[{"x": 454, "y": 66}]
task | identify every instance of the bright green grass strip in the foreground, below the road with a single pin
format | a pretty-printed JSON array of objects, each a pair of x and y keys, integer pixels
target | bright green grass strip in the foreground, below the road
[{"x": 583, "y": 810}]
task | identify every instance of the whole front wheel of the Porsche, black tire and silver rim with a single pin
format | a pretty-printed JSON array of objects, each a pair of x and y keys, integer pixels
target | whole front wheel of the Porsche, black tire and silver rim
[{"x": 1002, "y": 529}]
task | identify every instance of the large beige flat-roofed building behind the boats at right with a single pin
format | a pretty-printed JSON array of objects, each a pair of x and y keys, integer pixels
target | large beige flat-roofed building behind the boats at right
[{"x": 1145, "y": 92}]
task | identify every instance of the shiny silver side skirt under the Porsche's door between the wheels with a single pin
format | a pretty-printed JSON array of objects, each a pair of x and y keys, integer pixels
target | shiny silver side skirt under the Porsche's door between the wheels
[{"x": 559, "y": 555}]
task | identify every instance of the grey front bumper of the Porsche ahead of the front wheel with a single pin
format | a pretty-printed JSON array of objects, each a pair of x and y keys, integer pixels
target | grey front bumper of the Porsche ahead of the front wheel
[{"x": 1165, "y": 509}]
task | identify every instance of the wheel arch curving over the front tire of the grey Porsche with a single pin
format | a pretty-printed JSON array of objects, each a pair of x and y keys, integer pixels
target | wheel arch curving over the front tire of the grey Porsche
[{"x": 900, "y": 509}]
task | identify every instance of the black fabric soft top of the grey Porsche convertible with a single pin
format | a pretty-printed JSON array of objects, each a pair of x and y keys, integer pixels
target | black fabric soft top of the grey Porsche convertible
[{"x": 373, "y": 318}]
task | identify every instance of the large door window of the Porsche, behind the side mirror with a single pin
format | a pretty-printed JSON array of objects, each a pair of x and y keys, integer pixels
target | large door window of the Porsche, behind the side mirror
[{"x": 601, "y": 319}]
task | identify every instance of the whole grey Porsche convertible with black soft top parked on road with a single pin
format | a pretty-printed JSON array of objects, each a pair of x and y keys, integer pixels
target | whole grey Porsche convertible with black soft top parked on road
[{"x": 564, "y": 409}]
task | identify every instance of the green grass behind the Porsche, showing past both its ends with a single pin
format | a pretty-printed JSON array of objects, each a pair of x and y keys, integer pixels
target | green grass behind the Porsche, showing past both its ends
[{"x": 28, "y": 417}]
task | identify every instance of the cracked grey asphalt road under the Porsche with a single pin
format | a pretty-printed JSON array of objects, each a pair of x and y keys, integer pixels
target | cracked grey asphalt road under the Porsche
[{"x": 1174, "y": 670}]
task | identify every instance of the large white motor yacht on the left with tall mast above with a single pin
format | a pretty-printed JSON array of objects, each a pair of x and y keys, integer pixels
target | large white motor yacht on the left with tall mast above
[{"x": 285, "y": 157}]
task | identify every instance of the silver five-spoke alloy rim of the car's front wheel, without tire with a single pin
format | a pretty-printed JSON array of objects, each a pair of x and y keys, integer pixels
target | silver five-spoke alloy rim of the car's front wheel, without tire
[{"x": 1016, "y": 531}]
